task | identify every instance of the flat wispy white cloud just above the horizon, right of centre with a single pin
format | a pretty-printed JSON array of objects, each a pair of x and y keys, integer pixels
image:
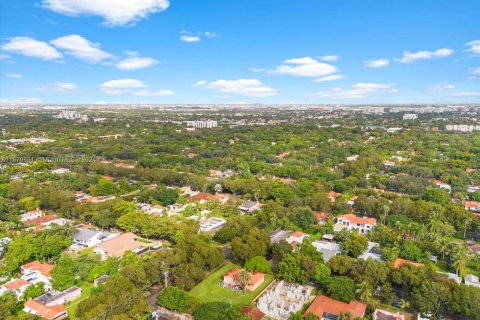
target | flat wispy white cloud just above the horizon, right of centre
[{"x": 357, "y": 91}]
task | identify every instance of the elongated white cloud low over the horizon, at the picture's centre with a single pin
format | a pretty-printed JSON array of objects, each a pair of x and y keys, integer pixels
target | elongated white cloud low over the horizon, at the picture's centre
[{"x": 244, "y": 87}]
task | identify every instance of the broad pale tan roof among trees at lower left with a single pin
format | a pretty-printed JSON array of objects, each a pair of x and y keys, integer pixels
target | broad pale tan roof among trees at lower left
[{"x": 116, "y": 247}]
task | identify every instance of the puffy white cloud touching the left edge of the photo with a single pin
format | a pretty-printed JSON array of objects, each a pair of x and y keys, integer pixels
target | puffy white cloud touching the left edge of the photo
[{"x": 31, "y": 48}]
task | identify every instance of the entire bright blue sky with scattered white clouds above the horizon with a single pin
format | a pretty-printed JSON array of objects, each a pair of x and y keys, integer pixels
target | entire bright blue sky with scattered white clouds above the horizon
[{"x": 233, "y": 51}]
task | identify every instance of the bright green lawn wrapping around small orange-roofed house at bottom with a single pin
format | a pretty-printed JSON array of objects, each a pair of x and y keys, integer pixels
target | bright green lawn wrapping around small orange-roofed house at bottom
[{"x": 209, "y": 289}]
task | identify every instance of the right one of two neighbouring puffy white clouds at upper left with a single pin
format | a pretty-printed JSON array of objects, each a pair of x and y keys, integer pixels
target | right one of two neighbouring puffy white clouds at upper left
[{"x": 81, "y": 48}]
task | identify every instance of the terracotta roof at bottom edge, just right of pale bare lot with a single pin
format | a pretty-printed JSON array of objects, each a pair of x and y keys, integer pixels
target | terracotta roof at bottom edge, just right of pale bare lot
[{"x": 325, "y": 307}]
